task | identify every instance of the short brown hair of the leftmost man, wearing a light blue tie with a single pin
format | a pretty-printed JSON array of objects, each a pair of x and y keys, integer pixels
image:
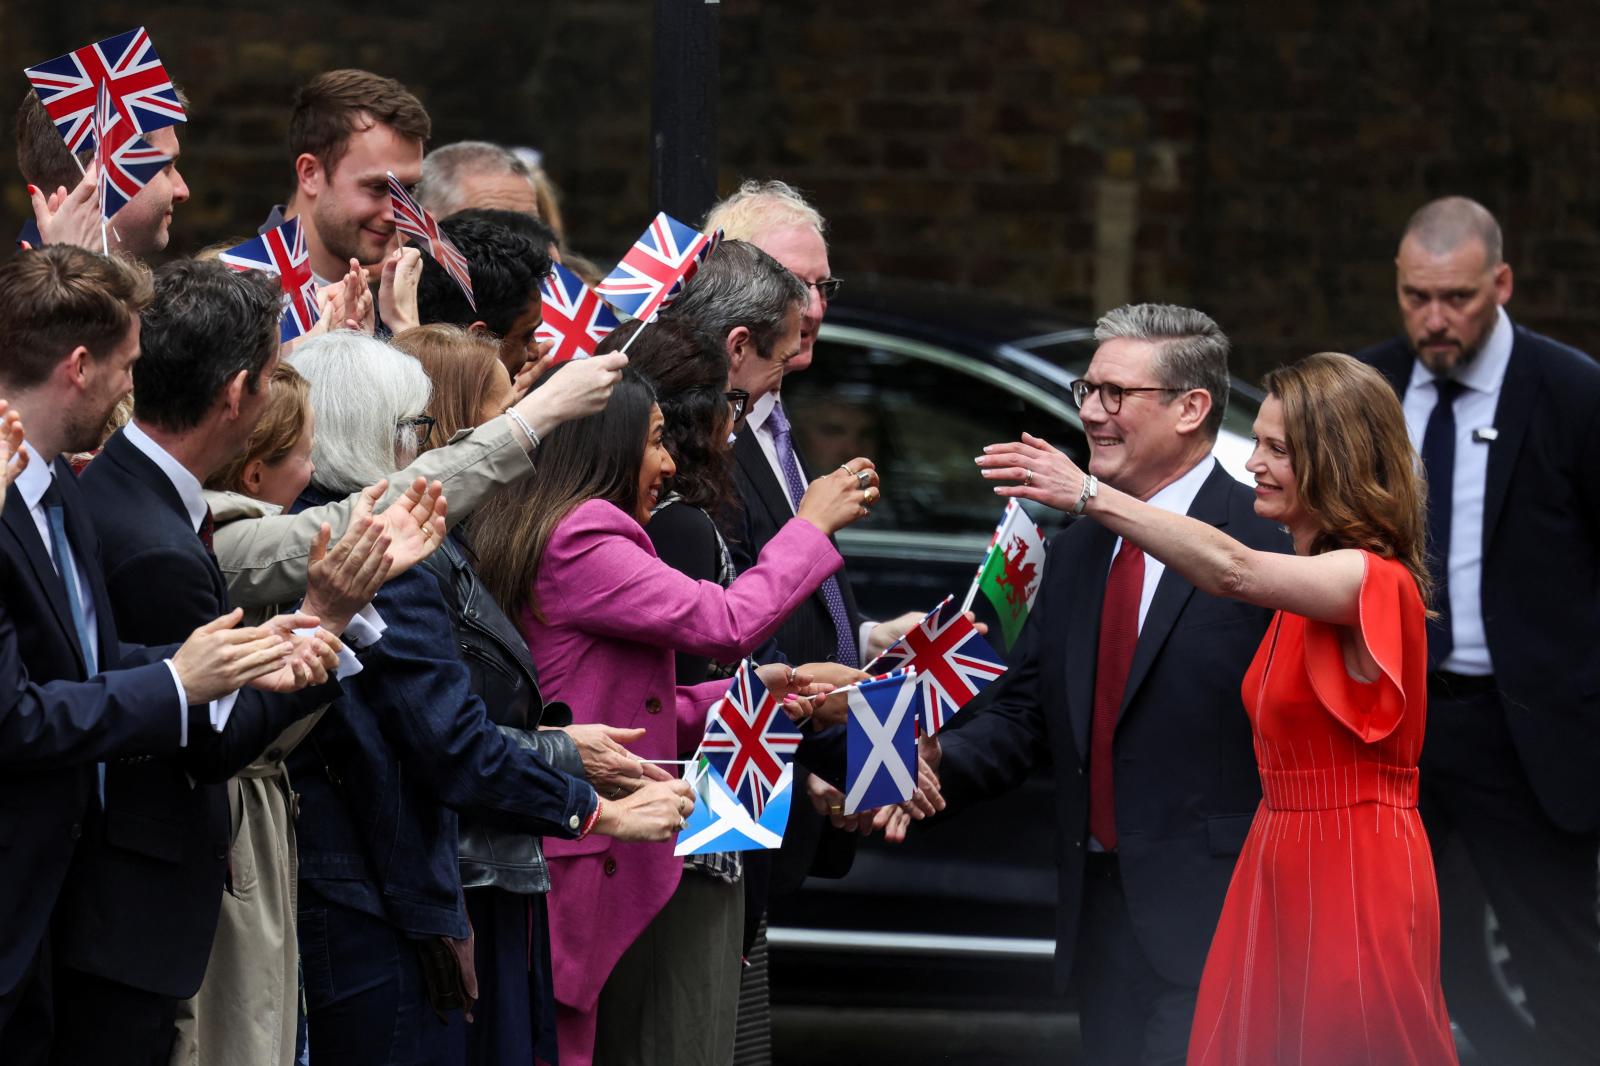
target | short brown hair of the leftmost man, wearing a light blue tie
[{"x": 57, "y": 299}]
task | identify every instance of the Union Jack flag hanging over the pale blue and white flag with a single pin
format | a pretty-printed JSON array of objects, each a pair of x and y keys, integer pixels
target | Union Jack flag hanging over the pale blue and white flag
[{"x": 750, "y": 740}]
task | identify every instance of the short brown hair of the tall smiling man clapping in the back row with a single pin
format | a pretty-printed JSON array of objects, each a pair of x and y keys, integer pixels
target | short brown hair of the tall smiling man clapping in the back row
[{"x": 335, "y": 105}]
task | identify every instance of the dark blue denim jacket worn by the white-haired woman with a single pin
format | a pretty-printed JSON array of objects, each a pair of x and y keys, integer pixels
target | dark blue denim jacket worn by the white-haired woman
[{"x": 406, "y": 750}]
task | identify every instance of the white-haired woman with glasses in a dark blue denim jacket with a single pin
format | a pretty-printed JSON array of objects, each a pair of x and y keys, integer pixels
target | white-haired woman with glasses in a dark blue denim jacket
[{"x": 383, "y": 928}]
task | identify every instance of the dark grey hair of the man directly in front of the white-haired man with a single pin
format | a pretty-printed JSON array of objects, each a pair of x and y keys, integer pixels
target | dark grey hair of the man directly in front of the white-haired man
[{"x": 742, "y": 286}]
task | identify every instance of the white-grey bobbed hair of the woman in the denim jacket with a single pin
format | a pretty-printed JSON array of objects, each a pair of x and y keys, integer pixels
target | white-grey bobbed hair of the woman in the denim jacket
[{"x": 361, "y": 390}]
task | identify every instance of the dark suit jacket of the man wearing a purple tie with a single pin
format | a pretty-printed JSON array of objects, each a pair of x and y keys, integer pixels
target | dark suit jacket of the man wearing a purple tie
[{"x": 812, "y": 846}]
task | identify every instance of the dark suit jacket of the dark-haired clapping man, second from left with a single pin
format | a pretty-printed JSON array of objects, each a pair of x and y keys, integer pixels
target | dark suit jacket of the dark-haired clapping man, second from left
[{"x": 143, "y": 897}]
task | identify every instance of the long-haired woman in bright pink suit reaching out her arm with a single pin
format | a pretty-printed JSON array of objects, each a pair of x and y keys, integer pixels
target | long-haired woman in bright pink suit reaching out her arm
[{"x": 604, "y": 617}]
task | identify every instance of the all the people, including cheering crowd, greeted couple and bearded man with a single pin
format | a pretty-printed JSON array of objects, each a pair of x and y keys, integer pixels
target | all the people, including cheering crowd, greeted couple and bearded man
[{"x": 345, "y": 683}]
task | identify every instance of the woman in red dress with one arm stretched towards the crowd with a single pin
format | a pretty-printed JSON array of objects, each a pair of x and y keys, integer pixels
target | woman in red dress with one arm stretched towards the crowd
[{"x": 1327, "y": 952}]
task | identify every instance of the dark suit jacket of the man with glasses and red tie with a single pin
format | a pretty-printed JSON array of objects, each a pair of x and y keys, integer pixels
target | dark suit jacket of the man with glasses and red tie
[{"x": 1186, "y": 771}]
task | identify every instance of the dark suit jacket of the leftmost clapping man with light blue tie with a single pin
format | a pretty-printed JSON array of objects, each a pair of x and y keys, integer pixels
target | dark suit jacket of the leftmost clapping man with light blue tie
[{"x": 55, "y": 724}]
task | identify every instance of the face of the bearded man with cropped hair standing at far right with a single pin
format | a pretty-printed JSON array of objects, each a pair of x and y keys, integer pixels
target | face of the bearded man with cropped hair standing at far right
[{"x": 1450, "y": 300}]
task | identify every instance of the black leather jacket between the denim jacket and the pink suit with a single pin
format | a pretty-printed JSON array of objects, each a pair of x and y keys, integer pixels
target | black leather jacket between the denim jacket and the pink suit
[{"x": 503, "y": 676}]
